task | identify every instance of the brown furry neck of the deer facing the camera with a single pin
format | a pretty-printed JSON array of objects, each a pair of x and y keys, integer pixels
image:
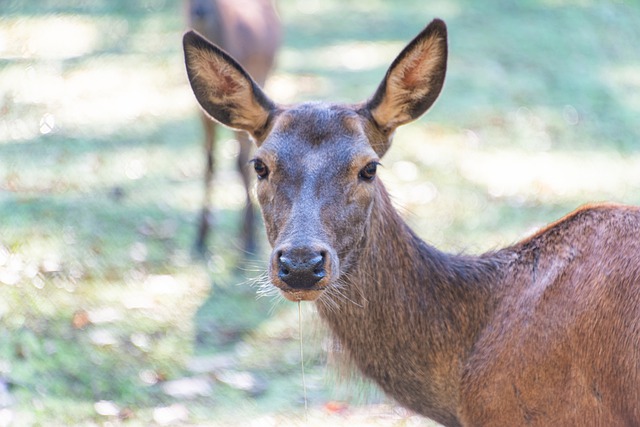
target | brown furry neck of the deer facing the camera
[{"x": 408, "y": 314}]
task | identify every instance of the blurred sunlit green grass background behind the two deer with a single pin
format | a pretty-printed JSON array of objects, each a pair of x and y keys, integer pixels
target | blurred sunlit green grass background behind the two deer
[{"x": 106, "y": 318}]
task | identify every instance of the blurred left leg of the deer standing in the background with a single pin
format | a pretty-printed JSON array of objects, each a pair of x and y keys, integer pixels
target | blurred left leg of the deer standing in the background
[{"x": 205, "y": 214}]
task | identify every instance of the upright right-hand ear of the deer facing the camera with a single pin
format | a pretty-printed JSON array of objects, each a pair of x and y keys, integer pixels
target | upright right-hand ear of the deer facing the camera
[{"x": 414, "y": 80}]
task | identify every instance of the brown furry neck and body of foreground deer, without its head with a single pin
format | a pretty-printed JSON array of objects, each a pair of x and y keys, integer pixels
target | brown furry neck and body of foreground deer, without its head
[{"x": 515, "y": 337}]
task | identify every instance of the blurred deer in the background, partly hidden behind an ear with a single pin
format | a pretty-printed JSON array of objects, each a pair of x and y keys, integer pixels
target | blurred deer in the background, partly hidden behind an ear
[{"x": 251, "y": 31}]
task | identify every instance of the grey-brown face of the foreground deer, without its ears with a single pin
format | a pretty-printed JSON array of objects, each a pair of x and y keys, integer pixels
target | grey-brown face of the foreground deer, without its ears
[{"x": 316, "y": 185}]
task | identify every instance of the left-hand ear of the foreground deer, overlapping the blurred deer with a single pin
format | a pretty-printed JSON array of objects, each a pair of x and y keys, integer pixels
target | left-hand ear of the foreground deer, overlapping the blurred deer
[{"x": 223, "y": 88}]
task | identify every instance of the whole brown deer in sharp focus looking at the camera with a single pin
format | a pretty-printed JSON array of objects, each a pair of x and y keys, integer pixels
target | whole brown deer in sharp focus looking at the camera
[{"x": 543, "y": 332}]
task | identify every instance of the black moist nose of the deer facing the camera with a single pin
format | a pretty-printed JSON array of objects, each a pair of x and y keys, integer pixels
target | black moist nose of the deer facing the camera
[{"x": 301, "y": 269}]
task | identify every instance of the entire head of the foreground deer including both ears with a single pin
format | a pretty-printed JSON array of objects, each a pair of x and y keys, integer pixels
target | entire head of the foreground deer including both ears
[{"x": 316, "y": 163}]
